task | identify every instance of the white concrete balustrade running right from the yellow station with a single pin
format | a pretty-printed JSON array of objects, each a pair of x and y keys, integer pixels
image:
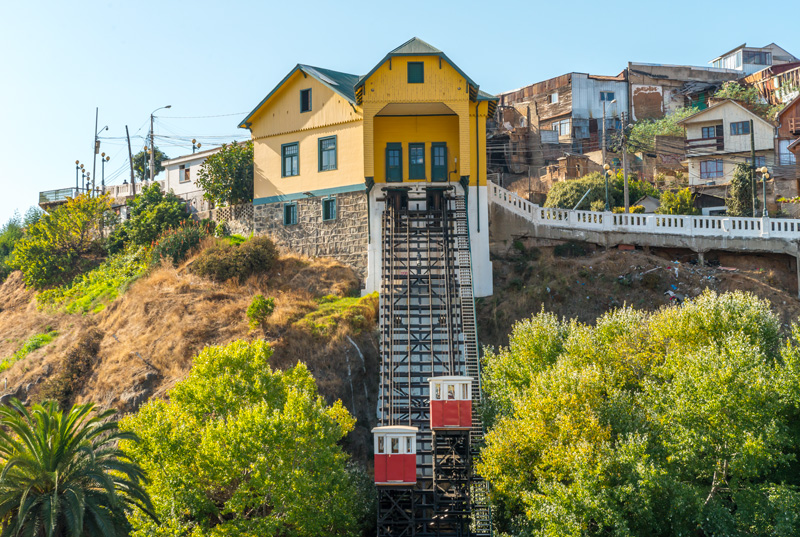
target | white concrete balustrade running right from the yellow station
[{"x": 660, "y": 224}]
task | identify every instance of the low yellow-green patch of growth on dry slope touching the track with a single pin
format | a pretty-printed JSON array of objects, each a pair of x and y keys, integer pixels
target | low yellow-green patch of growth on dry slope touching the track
[{"x": 335, "y": 312}]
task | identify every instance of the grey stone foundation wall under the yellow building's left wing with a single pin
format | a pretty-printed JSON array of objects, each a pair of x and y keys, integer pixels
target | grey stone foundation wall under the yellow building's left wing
[{"x": 344, "y": 239}]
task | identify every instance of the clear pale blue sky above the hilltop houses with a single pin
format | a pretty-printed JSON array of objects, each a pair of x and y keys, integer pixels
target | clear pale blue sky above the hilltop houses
[{"x": 60, "y": 60}]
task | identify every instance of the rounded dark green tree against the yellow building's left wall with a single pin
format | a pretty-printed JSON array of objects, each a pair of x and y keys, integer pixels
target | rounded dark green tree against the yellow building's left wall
[{"x": 227, "y": 175}]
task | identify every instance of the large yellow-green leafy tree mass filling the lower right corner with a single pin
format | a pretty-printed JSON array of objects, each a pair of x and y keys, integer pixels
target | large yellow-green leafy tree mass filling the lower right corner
[{"x": 678, "y": 422}]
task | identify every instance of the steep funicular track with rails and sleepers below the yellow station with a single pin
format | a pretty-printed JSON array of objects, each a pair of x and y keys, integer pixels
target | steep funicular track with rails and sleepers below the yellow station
[{"x": 427, "y": 321}]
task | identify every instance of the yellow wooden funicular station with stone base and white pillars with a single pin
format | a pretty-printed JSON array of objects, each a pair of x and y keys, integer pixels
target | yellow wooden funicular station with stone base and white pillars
[{"x": 326, "y": 143}]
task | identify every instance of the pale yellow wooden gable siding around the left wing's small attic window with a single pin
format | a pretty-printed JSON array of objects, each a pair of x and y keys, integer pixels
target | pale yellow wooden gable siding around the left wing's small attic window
[{"x": 281, "y": 114}]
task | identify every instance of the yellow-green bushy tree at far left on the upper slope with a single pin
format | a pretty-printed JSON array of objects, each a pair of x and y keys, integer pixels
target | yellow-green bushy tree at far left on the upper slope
[{"x": 63, "y": 242}]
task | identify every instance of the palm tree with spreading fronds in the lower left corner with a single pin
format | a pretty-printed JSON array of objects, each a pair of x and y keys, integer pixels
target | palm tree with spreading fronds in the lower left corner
[{"x": 64, "y": 474}]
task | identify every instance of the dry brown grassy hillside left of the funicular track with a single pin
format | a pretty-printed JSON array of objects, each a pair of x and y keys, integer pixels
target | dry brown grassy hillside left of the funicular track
[{"x": 143, "y": 342}]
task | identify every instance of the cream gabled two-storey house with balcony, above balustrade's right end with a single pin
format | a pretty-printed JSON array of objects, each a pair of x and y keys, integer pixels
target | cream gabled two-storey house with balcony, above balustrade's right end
[{"x": 718, "y": 138}]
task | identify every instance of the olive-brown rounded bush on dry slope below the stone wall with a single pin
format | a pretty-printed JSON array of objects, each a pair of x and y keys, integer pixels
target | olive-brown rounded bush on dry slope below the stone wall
[{"x": 224, "y": 260}]
